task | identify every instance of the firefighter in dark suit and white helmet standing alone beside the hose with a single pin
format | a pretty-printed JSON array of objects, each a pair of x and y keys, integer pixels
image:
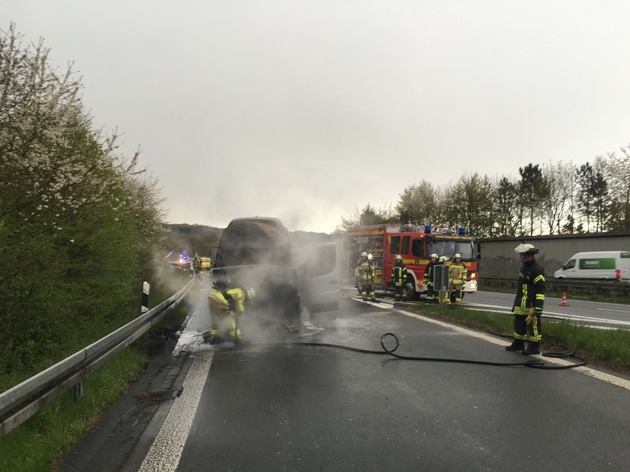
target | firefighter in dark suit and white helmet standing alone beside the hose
[{"x": 529, "y": 302}]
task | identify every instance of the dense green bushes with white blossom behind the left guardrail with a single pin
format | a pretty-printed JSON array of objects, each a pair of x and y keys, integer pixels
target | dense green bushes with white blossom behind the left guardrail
[{"x": 78, "y": 220}]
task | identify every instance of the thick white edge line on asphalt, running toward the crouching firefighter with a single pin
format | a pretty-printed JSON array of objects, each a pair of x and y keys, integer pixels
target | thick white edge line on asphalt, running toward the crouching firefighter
[{"x": 167, "y": 448}]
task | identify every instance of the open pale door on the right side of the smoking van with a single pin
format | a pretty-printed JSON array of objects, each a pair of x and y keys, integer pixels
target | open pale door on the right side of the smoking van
[{"x": 319, "y": 280}]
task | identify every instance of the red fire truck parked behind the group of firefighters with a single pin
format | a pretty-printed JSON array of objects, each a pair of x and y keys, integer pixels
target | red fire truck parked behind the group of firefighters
[{"x": 415, "y": 245}]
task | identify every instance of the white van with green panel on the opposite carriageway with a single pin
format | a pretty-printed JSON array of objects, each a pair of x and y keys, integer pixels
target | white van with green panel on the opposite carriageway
[{"x": 602, "y": 265}]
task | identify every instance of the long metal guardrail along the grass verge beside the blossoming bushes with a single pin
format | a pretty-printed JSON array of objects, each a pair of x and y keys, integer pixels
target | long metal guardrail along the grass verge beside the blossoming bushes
[{"x": 25, "y": 399}]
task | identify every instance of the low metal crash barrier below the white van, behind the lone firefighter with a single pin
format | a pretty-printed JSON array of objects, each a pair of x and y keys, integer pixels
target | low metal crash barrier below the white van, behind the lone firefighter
[{"x": 595, "y": 287}]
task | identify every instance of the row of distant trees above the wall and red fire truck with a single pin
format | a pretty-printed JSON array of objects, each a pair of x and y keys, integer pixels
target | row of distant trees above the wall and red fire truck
[{"x": 553, "y": 198}]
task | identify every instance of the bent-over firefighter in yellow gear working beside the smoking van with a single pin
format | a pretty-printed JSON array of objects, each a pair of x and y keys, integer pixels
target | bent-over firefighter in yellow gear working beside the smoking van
[{"x": 226, "y": 307}]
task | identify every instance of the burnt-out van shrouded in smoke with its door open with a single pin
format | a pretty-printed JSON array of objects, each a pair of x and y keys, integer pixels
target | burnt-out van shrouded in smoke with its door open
[{"x": 257, "y": 252}]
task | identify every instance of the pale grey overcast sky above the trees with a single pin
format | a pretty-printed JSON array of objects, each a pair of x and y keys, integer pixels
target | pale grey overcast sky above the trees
[{"x": 310, "y": 109}]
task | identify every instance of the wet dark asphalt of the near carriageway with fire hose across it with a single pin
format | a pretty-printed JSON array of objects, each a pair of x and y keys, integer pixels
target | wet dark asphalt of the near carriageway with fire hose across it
[{"x": 280, "y": 404}]
